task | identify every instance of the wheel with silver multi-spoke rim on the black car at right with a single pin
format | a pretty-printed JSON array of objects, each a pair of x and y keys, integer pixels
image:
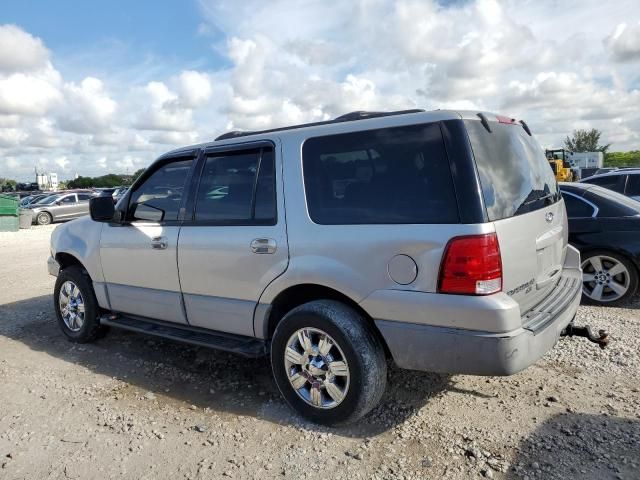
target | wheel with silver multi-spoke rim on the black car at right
[{"x": 606, "y": 269}]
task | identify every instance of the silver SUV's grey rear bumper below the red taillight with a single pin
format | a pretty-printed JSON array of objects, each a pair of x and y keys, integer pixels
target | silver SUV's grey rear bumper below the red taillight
[{"x": 440, "y": 348}]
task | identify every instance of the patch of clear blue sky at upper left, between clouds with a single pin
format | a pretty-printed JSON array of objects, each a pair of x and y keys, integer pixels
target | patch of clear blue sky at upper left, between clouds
[{"x": 118, "y": 32}]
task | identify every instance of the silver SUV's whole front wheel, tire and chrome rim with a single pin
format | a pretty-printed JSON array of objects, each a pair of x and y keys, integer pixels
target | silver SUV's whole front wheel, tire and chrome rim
[{"x": 85, "y": 326}]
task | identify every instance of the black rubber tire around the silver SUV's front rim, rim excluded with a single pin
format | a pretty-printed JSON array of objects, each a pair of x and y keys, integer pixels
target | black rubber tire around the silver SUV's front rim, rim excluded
[{"x": 91, "y": 325}]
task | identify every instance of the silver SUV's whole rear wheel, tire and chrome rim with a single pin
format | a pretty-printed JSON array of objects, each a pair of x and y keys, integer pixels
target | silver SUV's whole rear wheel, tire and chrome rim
[{"x": 330, "y": 393}]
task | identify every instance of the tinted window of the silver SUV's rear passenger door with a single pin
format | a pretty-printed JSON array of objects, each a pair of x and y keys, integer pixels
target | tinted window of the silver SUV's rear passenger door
[{"x": 227, "y": 185}]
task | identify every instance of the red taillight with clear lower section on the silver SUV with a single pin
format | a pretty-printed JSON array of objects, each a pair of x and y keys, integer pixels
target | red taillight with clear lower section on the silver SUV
[{"x": 471, "y": 266}]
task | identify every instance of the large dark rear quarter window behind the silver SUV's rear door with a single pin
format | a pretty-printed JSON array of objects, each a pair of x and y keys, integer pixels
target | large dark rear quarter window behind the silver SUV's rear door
[{"x": 385, "y": 176}]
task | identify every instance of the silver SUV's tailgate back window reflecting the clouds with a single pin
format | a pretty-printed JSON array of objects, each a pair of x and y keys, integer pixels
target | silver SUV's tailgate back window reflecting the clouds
[{"x": 515, "y": 175}]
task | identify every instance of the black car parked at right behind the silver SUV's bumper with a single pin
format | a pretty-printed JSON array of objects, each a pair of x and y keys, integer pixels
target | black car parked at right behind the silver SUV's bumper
[{"x": 605, "y": 227}]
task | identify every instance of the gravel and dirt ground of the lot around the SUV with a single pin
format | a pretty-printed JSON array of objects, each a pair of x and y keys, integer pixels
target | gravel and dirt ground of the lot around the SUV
[{"x": 132, "y": 406}]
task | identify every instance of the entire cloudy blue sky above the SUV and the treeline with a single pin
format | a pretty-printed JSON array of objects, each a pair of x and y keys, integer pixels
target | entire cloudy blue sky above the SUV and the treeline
[{"x": 99, "y": 87}]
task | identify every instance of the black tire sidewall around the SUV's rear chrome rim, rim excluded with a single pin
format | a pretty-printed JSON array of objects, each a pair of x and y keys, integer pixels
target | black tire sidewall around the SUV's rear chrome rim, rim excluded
[{"x": 352, "y": 403}]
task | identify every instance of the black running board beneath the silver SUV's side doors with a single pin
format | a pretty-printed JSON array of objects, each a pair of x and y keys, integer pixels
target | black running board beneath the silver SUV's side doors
[{"x": 245, "y": 346}]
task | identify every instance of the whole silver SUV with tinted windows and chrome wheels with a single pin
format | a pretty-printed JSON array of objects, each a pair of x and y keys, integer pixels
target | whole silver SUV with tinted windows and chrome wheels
[{"x": 437, "y": 239}]
